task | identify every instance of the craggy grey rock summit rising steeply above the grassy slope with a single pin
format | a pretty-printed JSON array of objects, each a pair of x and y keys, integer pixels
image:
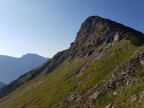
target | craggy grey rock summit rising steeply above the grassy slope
[{"x": 95, "y": 31}]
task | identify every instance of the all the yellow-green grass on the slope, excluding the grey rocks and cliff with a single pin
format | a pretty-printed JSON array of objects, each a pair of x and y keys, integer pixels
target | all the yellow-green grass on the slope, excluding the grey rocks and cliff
[{"x": 54, "y": 89}]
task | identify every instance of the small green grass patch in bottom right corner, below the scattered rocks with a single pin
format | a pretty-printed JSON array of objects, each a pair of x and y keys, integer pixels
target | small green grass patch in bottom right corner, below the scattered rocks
[{"x": 124, "y": 97}]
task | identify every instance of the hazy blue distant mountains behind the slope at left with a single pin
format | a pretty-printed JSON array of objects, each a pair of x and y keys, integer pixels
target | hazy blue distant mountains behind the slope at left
[{"x": 11, "y": 67}]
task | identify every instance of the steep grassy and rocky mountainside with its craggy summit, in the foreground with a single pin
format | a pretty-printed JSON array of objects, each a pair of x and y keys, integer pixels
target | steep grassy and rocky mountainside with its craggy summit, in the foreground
[{"x": 103, "y": 68}]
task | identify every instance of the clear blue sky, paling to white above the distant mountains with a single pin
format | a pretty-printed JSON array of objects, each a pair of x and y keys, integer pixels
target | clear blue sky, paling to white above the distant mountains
[{"x": 48, "y": 26}]
